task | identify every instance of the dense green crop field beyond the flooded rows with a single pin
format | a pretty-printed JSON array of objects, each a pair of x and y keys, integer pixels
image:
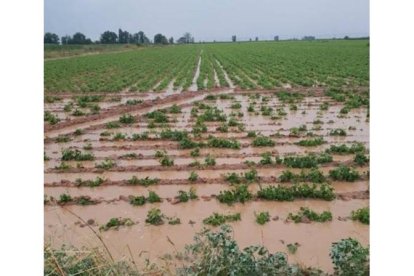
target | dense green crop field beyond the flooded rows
[{"x": 249, "y": 65}]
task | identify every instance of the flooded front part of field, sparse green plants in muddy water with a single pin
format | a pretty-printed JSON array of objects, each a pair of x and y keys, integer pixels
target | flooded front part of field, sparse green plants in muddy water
[{"x": 208, "y": 143}]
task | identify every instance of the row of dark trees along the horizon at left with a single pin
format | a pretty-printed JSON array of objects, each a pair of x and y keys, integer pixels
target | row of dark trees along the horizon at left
[{"x": 123, "y": 37}]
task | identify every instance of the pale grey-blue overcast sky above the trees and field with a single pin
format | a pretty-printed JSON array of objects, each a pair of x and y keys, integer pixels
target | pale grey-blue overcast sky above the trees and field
[{"x": 209, "y": 20}]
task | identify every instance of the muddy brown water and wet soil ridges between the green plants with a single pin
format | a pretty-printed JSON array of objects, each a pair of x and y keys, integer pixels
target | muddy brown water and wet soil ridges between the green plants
[{"x": 146, "y": 241}]
